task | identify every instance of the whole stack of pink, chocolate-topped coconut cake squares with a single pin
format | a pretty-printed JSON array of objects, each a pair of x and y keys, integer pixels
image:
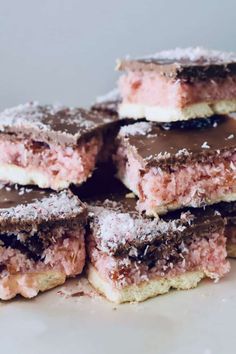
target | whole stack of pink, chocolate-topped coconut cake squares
[{"x": 138, "y": 192}]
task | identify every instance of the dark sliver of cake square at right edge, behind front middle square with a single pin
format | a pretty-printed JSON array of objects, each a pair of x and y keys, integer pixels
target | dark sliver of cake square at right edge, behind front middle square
[{"x": 228, "y": 211}]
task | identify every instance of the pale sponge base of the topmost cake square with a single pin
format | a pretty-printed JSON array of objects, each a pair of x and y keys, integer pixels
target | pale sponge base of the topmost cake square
[{"x": 162, "y": 114}]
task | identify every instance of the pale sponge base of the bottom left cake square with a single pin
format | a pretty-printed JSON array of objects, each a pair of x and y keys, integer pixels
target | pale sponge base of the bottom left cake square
[{"x": 29, "y": 285}]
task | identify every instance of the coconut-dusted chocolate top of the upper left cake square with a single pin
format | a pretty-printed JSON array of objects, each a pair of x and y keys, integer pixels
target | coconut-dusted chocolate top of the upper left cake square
[{"x": 55, "y": 124}]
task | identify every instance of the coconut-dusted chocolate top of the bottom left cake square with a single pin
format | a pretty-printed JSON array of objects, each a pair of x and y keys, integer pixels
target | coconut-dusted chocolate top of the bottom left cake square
[{"x": 22, "y": 207}]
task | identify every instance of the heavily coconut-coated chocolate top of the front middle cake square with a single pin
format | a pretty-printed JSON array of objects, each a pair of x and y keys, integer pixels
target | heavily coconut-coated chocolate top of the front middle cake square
[{"x": 118, "y": 228}]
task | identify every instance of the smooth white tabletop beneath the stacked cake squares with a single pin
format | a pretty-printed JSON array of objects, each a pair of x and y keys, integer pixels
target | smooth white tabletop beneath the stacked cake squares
[{"x": 199, "y": 321}]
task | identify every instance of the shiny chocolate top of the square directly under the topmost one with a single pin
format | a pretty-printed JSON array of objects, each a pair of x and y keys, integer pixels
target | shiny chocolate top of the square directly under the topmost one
[{"x": 165, "y": 145}]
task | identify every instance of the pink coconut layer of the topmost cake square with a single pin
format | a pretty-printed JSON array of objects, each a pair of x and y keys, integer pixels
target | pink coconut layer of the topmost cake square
[{"x": 152, "y": 89}]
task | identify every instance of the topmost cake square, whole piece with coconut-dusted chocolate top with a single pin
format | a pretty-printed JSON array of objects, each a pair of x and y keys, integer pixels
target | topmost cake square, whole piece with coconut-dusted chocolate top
[{"x": 178, "y": 84}]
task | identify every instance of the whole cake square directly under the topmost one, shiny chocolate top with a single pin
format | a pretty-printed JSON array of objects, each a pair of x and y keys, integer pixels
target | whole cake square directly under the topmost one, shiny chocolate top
[{"x": 189, "y": 164}]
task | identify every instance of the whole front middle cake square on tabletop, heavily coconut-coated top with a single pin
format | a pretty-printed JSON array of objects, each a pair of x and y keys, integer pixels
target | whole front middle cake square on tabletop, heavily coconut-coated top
[{"x": 133, "y": 258}]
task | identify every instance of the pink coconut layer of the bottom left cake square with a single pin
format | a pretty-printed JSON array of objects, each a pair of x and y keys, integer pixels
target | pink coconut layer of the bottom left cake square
[{"x": 66, "y": 254}]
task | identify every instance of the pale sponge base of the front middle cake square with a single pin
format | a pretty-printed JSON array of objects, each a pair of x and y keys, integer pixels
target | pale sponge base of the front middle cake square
[{"x": 145, "y": 290}]
